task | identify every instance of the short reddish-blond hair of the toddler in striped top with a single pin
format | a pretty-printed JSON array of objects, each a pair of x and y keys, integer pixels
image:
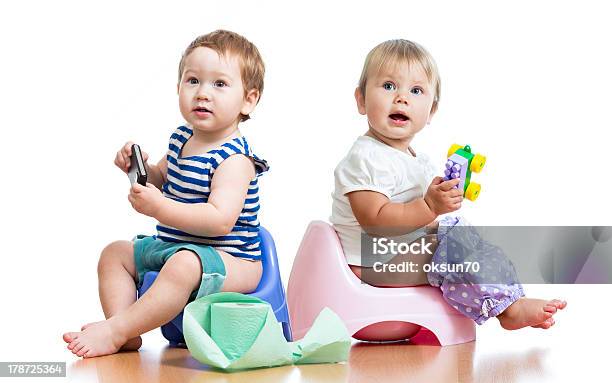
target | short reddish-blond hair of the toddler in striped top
[{"x": 224, "y": 42}]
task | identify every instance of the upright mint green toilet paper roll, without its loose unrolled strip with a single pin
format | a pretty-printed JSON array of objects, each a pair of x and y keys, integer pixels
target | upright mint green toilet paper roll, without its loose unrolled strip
[{"x": 235, "y": 326}]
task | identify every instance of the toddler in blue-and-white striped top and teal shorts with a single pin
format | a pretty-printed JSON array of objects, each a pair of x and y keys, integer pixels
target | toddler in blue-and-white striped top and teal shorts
[{"x": 208, "y": 232}]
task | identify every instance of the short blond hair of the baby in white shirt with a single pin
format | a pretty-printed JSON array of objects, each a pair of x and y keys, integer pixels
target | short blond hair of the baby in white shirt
[{"x": 393, "y": 52}]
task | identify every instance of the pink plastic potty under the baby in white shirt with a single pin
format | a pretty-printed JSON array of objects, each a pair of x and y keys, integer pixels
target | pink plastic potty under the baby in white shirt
[{"x": 320, "y": 278}]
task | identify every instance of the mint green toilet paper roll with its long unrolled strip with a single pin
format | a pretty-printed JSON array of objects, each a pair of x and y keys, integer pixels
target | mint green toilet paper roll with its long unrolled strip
[{"x": 233, "y": 331}]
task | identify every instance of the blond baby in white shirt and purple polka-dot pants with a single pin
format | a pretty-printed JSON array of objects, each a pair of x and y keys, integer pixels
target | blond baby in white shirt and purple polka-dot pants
[{"x": 383, "y": 187}]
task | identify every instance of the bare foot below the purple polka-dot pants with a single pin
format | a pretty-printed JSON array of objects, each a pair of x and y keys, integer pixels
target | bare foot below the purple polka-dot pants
[{"x": 525, "y": 312}]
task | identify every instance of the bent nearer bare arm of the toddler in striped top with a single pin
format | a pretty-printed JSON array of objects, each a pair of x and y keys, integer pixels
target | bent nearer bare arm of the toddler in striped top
[{"x": 217, "y": 217}]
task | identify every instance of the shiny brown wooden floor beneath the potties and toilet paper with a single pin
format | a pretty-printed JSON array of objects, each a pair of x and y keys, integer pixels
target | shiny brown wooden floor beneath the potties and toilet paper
[{"x": 399, "y": 362}]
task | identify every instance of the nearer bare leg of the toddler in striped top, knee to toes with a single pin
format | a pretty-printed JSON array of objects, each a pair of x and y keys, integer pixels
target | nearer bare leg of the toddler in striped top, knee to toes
[{"x": 163, "y": 301}]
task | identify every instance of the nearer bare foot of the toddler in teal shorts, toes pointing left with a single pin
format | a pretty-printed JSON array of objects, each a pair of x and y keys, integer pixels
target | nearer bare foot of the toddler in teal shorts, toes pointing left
[{"x": 97, "y": 339}]
